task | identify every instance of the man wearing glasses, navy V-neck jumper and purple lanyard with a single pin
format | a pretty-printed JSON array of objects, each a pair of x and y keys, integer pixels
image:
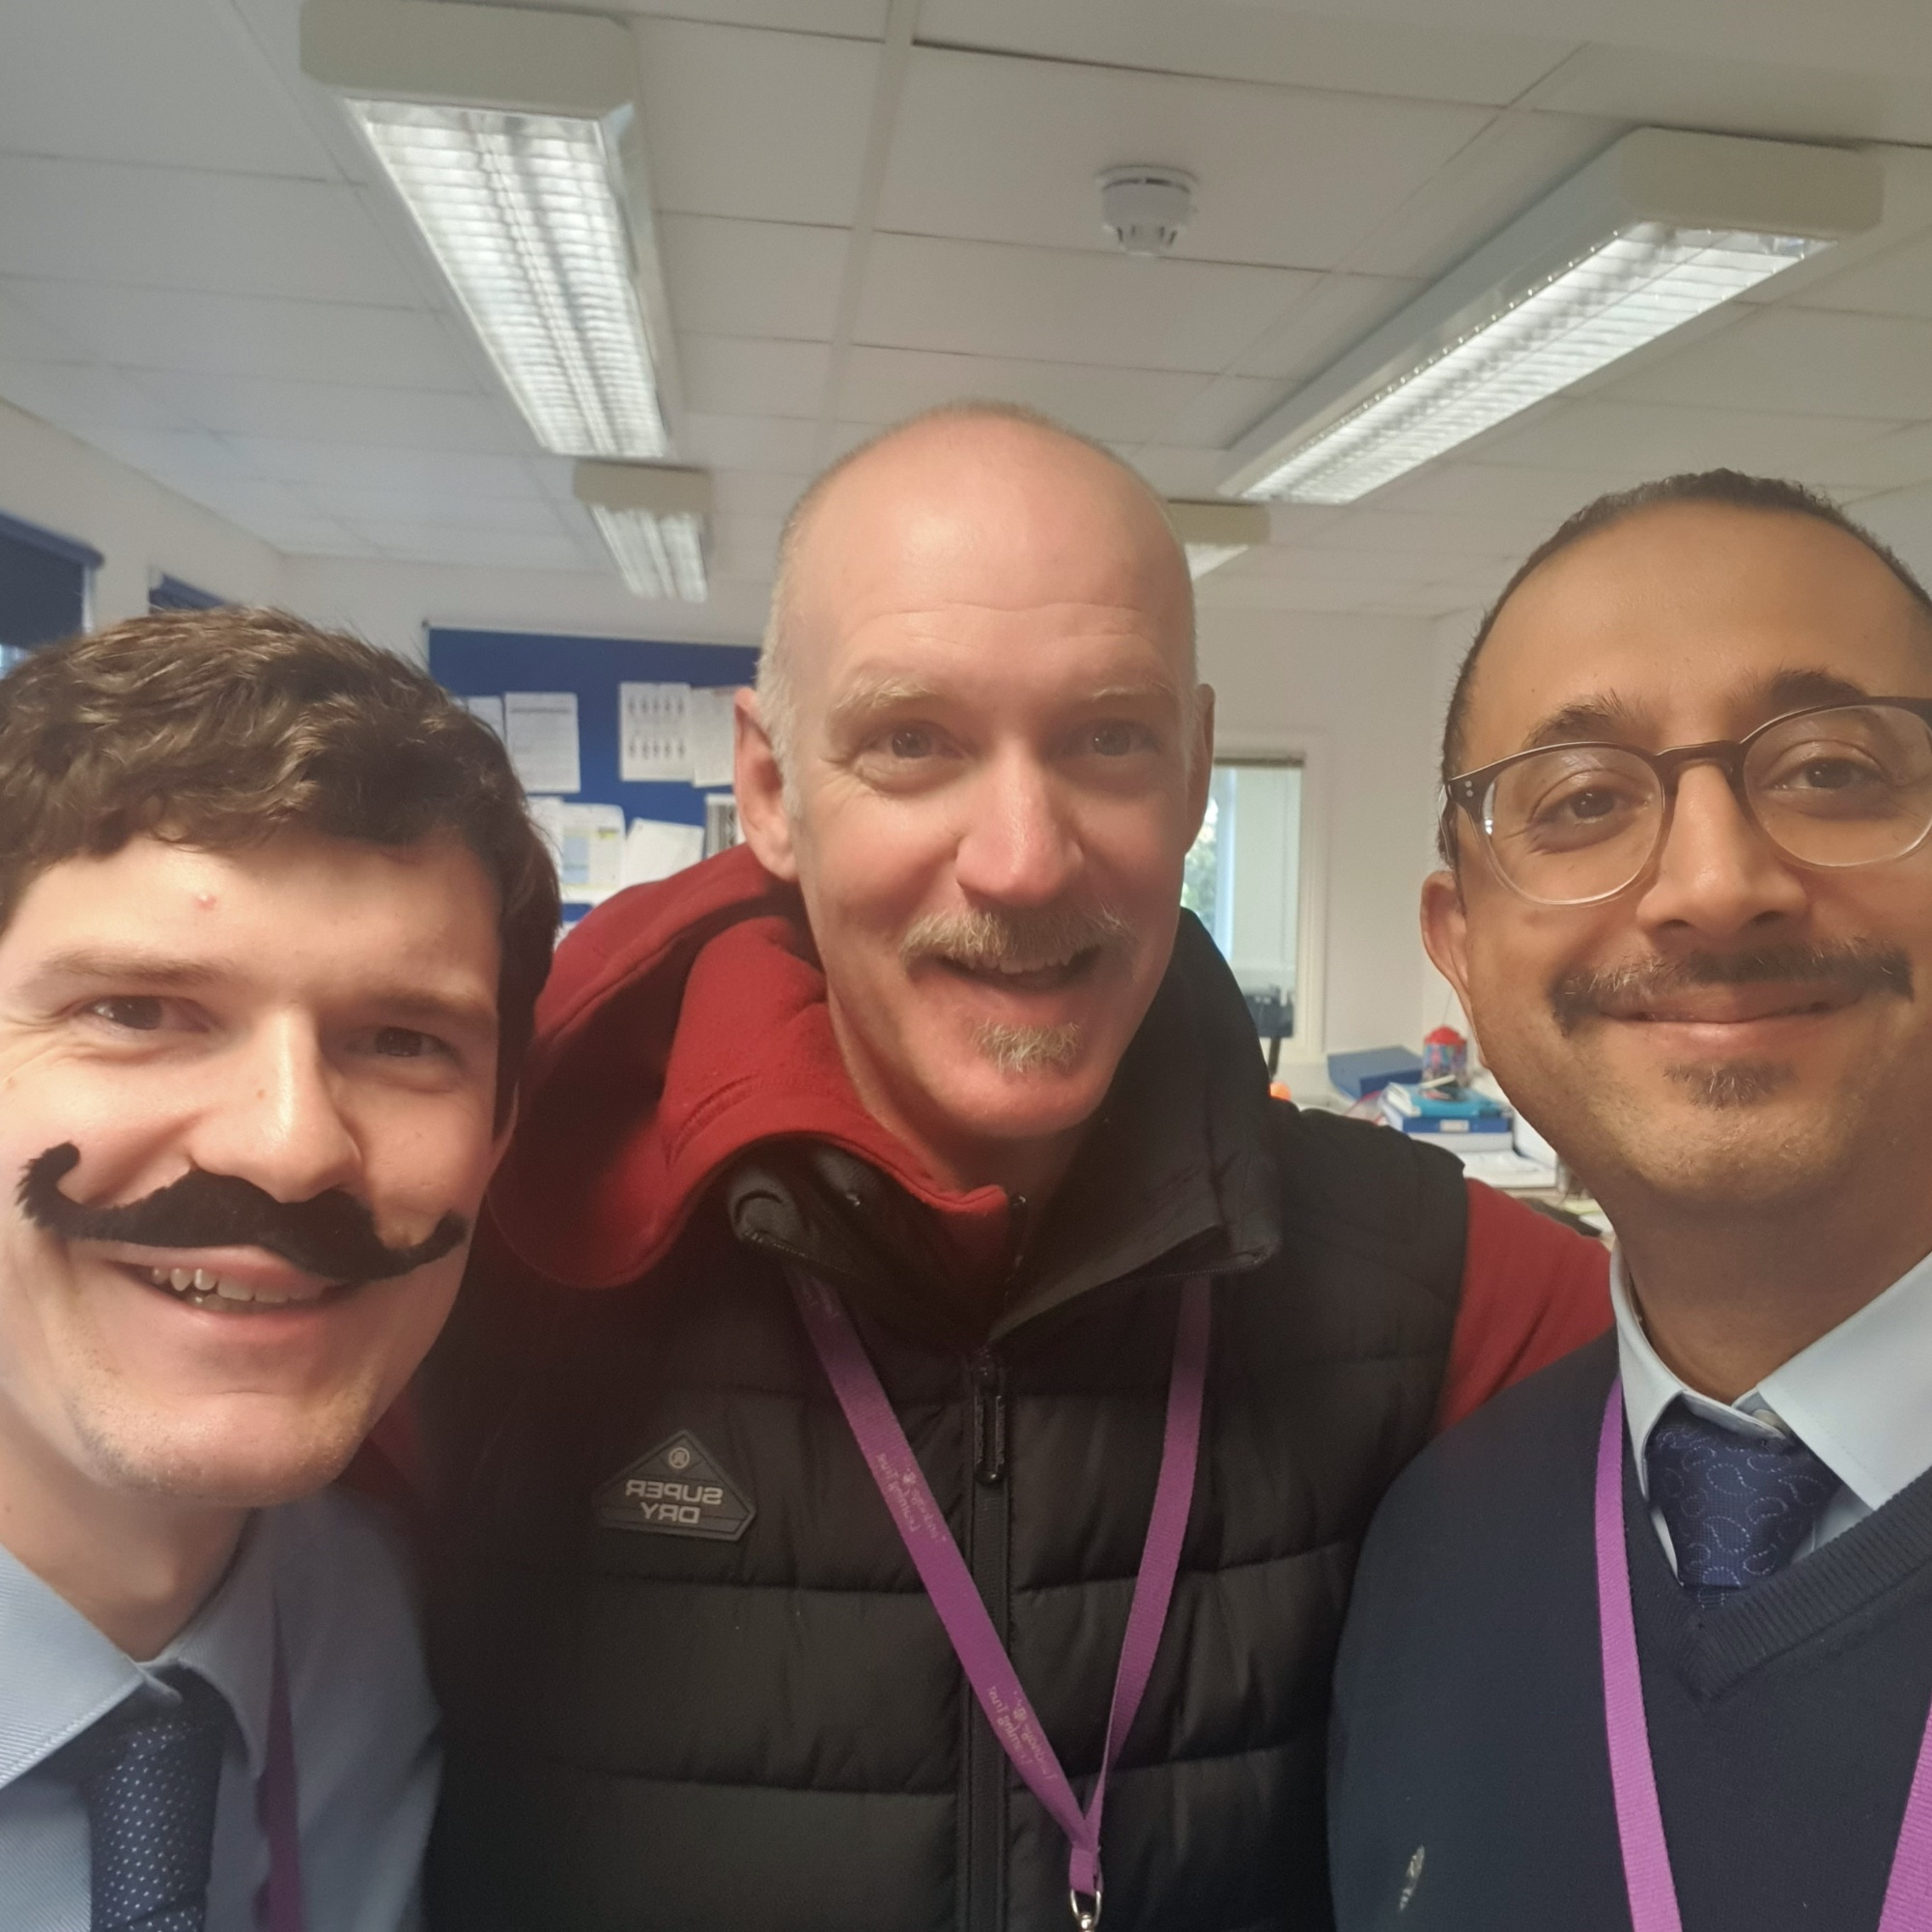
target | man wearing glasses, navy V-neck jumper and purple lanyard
[{"x": 1649, "y": 1643}]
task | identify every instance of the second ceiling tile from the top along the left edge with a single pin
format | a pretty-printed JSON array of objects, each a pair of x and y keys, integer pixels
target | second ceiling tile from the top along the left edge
[{"x": 185, "y": 229}]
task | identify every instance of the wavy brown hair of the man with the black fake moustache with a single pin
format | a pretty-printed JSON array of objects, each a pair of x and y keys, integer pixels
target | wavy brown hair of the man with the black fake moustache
[{"x": 219, "y": 729}]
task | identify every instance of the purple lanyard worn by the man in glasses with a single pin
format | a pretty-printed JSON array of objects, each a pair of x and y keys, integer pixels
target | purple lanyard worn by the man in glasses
[{"x": 1634, "y": 1778}]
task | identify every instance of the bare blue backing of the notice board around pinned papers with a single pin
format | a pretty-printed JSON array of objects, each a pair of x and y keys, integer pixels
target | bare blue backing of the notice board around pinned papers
[{"x": 486, "y": 664}]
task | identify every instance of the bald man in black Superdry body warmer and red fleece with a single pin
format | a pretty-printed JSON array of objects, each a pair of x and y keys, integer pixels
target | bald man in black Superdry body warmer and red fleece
[{"x": 919, "y": 1369}]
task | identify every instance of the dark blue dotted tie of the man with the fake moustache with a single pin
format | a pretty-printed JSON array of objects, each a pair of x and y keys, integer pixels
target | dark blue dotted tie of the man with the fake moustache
[{"x": 150, "y": 1775}]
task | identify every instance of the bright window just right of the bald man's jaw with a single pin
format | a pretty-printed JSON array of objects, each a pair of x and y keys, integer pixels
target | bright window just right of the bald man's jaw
[{"x": 1243, "y": 884}]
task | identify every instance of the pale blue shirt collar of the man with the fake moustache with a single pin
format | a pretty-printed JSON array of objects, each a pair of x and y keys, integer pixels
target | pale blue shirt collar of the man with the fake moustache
[{"x": 63, "y": 1674}]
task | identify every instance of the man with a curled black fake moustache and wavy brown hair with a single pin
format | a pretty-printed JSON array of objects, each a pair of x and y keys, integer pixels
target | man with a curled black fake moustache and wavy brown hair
[{"x": 271, "y": 930}]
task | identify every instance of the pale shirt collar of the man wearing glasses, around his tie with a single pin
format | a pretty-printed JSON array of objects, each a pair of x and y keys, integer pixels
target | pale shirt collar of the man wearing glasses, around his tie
[{"x": 1858, "y": 1398}]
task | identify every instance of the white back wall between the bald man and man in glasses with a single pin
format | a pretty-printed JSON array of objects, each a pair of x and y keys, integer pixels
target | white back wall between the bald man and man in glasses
[{"x": 1361, "y": 700}]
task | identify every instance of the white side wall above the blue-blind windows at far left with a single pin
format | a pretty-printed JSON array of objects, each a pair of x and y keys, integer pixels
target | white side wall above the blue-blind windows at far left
[{"x": 51, "y": 480}]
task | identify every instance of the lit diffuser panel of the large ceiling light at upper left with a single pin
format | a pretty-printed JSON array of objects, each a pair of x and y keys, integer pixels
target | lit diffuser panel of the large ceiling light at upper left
[{"x": 523, "y": 213}]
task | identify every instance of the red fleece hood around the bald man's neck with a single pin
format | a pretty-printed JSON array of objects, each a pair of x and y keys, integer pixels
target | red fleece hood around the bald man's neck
[{"x": 683, "y": 1025}]
